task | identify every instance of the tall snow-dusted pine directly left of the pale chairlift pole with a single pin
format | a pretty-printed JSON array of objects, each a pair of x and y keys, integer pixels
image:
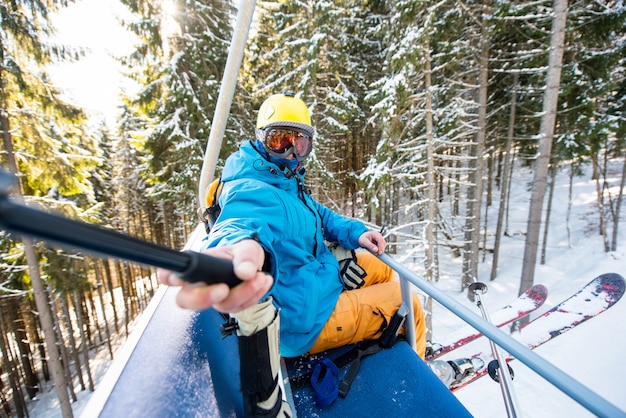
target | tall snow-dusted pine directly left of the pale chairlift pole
[{"x": 180, "y": 65}]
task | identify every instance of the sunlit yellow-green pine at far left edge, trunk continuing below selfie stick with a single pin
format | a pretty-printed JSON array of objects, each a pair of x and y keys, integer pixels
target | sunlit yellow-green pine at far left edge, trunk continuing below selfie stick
[{"x": 42, "y": 137}]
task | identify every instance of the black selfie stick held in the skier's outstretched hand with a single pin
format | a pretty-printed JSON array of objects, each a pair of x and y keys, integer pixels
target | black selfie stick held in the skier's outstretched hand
[{"x": 190, "y": 266}]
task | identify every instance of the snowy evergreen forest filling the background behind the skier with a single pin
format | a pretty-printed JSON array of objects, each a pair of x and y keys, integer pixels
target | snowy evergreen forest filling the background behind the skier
[{"x": 423, "y": 111}]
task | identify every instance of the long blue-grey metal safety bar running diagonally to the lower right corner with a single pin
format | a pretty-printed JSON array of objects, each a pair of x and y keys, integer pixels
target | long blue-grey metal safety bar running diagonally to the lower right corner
[{"x": 561, "y": 380}]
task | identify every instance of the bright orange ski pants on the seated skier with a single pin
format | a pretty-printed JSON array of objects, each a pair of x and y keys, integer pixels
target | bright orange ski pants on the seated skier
[{"x": 358, "y": 314}]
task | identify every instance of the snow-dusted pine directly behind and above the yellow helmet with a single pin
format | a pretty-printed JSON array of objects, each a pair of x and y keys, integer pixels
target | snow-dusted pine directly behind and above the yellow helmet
[{"x": 306, "y": 47}]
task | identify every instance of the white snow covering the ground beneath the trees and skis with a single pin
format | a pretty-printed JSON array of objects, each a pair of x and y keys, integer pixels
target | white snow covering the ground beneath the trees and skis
[{"x": 591, "y": 353}]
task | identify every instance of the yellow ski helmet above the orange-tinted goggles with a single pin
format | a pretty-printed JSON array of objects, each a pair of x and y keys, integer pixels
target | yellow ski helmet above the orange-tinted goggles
[{"x": 285, "y": 110}]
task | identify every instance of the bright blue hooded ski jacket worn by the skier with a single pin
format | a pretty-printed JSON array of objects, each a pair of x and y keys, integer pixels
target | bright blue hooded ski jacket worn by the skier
[{"x": 261, "y": 201}]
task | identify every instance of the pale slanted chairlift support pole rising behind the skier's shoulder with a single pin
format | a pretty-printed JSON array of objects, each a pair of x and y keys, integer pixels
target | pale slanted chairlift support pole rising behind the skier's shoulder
[{"x": 225, "y": 97}]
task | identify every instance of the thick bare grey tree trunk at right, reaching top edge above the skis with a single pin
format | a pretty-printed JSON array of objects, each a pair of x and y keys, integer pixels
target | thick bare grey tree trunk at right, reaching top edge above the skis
[{"x": 550, "y": 101}]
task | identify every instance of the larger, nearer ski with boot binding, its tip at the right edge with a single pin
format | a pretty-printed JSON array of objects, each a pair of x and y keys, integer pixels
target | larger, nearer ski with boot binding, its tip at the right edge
[{"x": 591, "y": 300}]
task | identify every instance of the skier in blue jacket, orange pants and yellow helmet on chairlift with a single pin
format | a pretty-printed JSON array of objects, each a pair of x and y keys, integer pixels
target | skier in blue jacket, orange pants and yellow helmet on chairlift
[{"x": 275, "y": 233}]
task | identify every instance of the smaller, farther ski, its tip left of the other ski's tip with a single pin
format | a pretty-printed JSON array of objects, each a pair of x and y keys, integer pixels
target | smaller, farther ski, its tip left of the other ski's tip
[{"x": 526, "y": 303}]
